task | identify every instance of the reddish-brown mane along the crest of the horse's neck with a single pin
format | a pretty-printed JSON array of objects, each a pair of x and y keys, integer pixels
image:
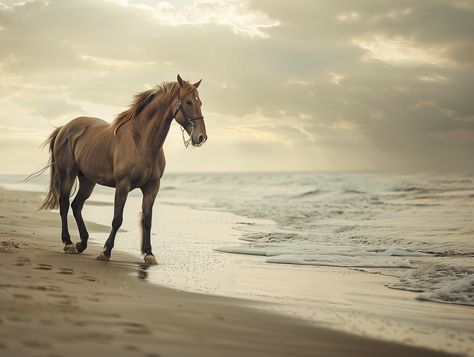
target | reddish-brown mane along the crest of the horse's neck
[{"x": 142, "y": 99}]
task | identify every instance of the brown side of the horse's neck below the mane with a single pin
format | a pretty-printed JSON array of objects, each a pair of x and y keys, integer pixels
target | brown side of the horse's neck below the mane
[{"x": 154, "y": 127}]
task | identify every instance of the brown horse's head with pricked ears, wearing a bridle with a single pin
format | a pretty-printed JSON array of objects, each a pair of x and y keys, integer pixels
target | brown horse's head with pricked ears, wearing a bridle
[{"x": 188, "y": 112}]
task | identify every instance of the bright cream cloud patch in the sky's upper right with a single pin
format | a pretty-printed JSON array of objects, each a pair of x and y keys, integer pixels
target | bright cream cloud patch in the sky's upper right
[{"x": 401, "y": 51}]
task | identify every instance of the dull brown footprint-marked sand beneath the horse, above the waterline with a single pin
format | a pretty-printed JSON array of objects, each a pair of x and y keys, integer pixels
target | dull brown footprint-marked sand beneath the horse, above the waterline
[{"x": 53, "y": 304}]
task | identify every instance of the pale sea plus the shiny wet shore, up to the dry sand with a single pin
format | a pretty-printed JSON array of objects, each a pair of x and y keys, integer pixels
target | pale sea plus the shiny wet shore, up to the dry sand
[{"x": 381, "y": 255}]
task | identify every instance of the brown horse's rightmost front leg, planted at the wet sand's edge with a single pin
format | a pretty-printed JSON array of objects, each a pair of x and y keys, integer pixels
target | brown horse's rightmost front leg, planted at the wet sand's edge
[{"x": 149, "y": 194}]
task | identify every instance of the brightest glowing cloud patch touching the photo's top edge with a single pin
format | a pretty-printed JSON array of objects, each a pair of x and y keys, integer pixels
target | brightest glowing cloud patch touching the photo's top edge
[{"x": 234, "y": 14}]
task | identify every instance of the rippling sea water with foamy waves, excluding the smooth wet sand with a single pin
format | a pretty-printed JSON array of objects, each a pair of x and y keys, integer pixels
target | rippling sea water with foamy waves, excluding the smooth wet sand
[{"x": 420, "y": 227}]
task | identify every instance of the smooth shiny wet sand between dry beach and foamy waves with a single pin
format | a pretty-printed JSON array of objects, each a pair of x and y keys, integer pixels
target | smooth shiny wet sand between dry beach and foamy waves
[{"x": 348, "y": 300}]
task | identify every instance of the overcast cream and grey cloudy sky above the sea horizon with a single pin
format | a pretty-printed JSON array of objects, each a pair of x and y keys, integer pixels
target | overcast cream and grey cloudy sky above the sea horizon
[{"x": 303, "y": 85}]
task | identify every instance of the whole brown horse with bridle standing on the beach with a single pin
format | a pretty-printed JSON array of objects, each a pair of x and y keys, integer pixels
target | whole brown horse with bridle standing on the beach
[{"x": 126, "y": 154}]
